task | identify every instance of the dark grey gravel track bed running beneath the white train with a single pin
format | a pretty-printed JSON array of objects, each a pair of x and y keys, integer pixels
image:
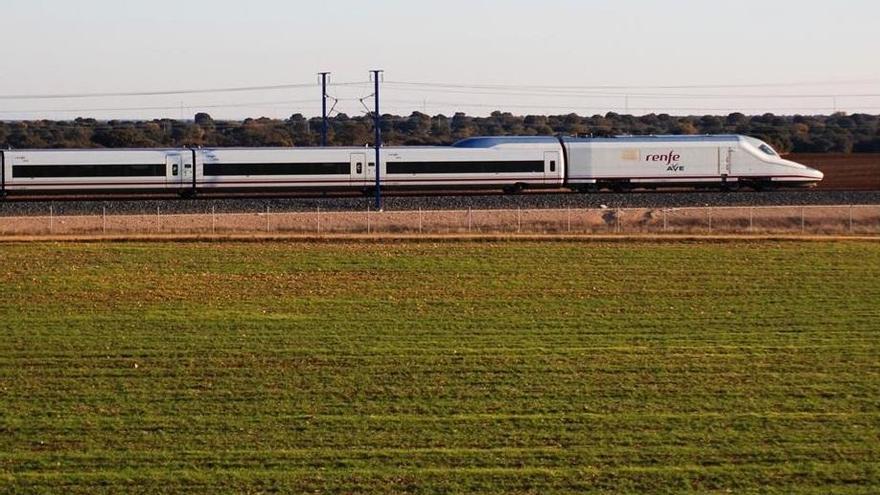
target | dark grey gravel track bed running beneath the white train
[{"x": 276, "y": 203}]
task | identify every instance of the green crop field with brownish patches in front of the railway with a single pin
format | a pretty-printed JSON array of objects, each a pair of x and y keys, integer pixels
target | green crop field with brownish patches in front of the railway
[{"x": 731, "y": 367}]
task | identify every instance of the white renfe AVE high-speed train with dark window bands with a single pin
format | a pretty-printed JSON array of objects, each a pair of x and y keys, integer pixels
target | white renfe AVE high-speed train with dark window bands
[{"x": 510, "y": 163}]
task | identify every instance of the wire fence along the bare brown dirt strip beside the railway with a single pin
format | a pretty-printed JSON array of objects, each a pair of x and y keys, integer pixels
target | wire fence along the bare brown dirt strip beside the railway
[{"x": 814, "y": 220}]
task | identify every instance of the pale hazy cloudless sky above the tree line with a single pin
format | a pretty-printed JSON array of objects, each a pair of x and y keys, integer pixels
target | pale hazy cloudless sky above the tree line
[{"x": 683, "y": 57}]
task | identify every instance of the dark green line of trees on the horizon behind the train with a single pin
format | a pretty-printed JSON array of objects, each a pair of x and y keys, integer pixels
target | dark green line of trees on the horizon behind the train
[{"x": 838, "y": 132}]
